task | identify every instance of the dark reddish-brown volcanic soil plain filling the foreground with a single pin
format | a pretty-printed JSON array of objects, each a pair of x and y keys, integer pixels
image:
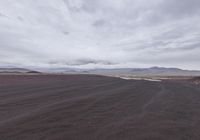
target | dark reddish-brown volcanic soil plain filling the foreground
[{"x": 82, "y": 107}]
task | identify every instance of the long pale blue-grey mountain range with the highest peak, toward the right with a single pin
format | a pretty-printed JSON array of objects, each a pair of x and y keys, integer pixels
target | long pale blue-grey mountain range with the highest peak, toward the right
[{"x": 153, "y": 71}]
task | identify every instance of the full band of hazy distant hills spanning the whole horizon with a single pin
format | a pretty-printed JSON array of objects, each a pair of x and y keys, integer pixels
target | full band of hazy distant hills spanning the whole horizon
[{"x": 153, "y": 71}]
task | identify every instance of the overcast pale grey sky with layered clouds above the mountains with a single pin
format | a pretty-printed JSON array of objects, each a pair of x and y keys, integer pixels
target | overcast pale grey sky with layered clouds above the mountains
[{"x": 100, "y": 33}]
